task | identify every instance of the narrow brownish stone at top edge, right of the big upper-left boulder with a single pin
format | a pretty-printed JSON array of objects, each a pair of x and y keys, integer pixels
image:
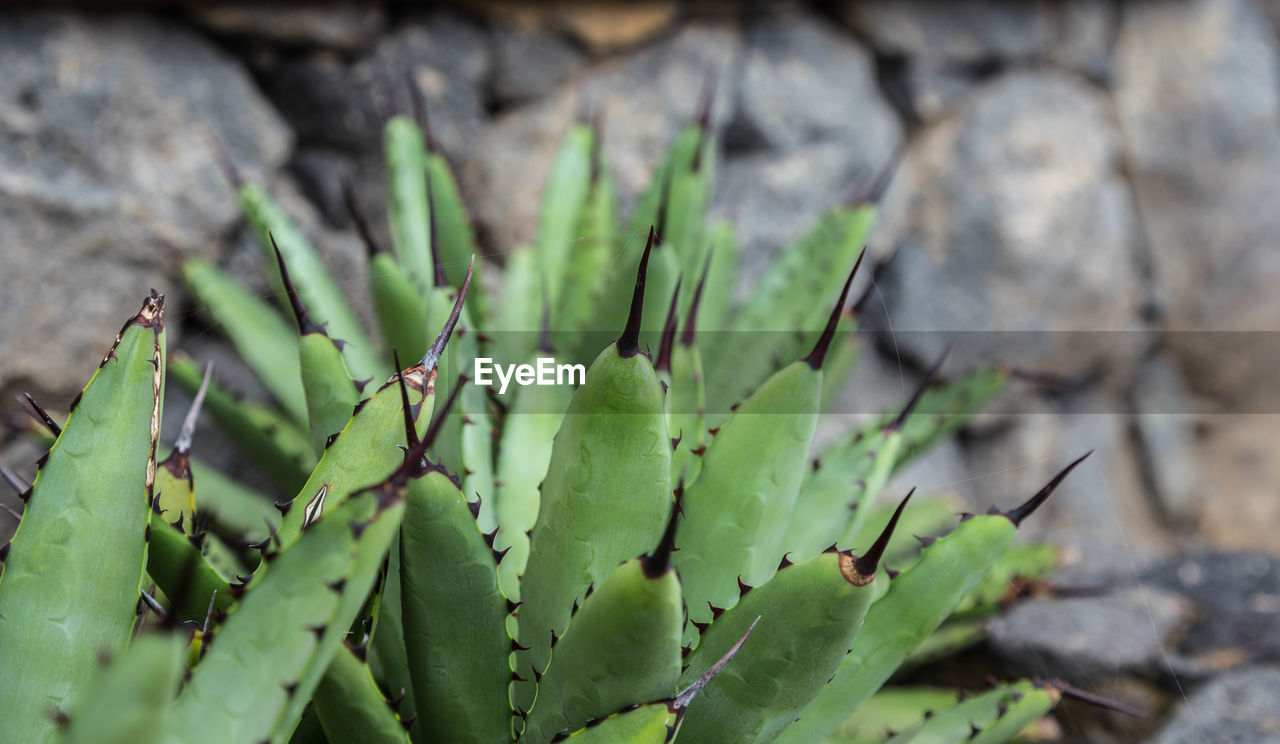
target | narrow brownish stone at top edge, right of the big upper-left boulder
[{"x": 324, "y": 24}]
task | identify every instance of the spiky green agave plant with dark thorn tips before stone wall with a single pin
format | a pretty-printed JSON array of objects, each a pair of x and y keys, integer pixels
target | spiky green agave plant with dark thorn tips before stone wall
[{"x": 636, "y": 559}]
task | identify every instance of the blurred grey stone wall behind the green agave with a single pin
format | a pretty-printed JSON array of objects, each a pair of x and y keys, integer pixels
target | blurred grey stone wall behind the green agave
[{"x": 1096, "y": 181}]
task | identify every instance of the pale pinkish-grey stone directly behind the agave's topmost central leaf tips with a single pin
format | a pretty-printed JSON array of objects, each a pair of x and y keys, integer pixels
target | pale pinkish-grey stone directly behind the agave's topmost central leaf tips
[{"x": 642, "y": 99}]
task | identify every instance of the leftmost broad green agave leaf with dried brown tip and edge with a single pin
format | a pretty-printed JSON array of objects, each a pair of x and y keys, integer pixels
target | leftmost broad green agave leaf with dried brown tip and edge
[{"x": 71, "y": 582}]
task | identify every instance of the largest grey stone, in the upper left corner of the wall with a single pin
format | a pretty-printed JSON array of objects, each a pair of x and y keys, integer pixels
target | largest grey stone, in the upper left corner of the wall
[{"x": 109, "y": 127}]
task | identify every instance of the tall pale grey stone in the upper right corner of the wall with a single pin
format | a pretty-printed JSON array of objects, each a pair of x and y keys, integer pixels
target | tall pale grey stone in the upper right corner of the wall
[{"x": 1199, "y": 98}]
